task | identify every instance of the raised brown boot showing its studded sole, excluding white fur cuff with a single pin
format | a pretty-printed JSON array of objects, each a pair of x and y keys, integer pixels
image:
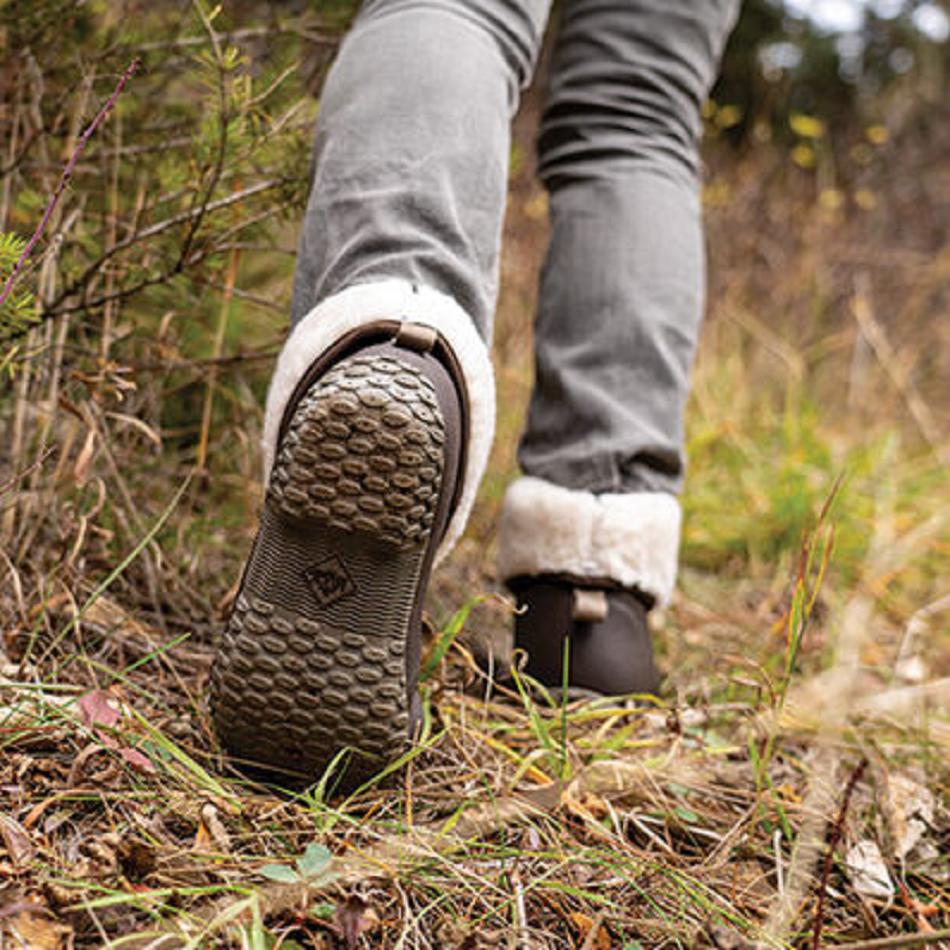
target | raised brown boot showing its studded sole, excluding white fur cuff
[{"x": 320, "y": 655}]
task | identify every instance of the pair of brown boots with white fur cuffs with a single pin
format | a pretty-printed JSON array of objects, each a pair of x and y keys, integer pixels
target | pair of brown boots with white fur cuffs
[{"x": 376, "y": 434}]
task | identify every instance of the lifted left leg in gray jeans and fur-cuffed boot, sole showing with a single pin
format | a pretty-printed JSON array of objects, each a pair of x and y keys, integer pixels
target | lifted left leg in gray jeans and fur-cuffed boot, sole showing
[{"x": 380, "y": 411}]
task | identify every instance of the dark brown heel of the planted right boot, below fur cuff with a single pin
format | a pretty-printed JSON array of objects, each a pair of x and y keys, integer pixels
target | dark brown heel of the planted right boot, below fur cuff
[{"x": 610, "y": 647}]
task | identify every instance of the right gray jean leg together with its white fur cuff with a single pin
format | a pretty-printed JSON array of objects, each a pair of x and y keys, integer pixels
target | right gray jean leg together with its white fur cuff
[{"x": 621, "y": 294}]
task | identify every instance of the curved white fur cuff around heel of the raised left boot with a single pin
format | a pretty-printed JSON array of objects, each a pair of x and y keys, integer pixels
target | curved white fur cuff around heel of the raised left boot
[{"x": 393, "y": 299}]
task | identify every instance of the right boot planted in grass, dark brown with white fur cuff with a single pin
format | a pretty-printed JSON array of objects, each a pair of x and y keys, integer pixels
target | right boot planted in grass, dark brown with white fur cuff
[{"x": 586, "y": 568}]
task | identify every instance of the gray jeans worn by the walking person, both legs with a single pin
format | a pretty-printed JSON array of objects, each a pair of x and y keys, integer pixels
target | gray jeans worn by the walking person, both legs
[{"x": 410, "y": 178}]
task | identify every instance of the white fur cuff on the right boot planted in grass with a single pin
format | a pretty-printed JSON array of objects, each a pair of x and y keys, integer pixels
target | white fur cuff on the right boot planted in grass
[{"x": 630, "y": 538}]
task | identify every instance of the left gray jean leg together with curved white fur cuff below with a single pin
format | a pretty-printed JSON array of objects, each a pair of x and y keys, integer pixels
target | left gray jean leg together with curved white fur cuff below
[{"x": 409, "y": 181}]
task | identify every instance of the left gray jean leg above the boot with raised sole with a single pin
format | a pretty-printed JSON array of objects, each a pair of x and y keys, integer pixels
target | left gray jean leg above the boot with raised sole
[{"x": 412, "y": 150}]
